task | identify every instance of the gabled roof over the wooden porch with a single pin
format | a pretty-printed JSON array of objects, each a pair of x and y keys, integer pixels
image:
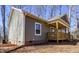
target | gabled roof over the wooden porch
[{"x": 63, "y": 19}]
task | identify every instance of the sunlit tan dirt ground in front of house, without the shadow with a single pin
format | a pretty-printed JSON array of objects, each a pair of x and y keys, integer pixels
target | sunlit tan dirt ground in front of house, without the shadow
[{"x": 48, "y": 49}]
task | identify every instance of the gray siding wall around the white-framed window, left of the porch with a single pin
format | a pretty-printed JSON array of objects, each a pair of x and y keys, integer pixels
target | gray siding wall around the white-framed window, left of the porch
[{"x": 30, "y": 31}]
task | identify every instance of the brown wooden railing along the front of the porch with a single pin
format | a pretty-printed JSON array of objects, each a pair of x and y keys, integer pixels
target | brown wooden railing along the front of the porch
[{"x": 58, "y": 35}]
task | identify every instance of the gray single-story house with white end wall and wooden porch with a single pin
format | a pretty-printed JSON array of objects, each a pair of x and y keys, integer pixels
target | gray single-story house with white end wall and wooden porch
[{"x": 26, "y": 29}]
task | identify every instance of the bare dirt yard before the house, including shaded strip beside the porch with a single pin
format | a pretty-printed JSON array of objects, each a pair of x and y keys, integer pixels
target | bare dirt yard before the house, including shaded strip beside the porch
[{"x": 51, "y": 47}]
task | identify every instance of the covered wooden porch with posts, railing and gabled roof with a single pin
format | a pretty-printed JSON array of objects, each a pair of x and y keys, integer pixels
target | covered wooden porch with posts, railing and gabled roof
[{"x": 59, "y": 30}]
